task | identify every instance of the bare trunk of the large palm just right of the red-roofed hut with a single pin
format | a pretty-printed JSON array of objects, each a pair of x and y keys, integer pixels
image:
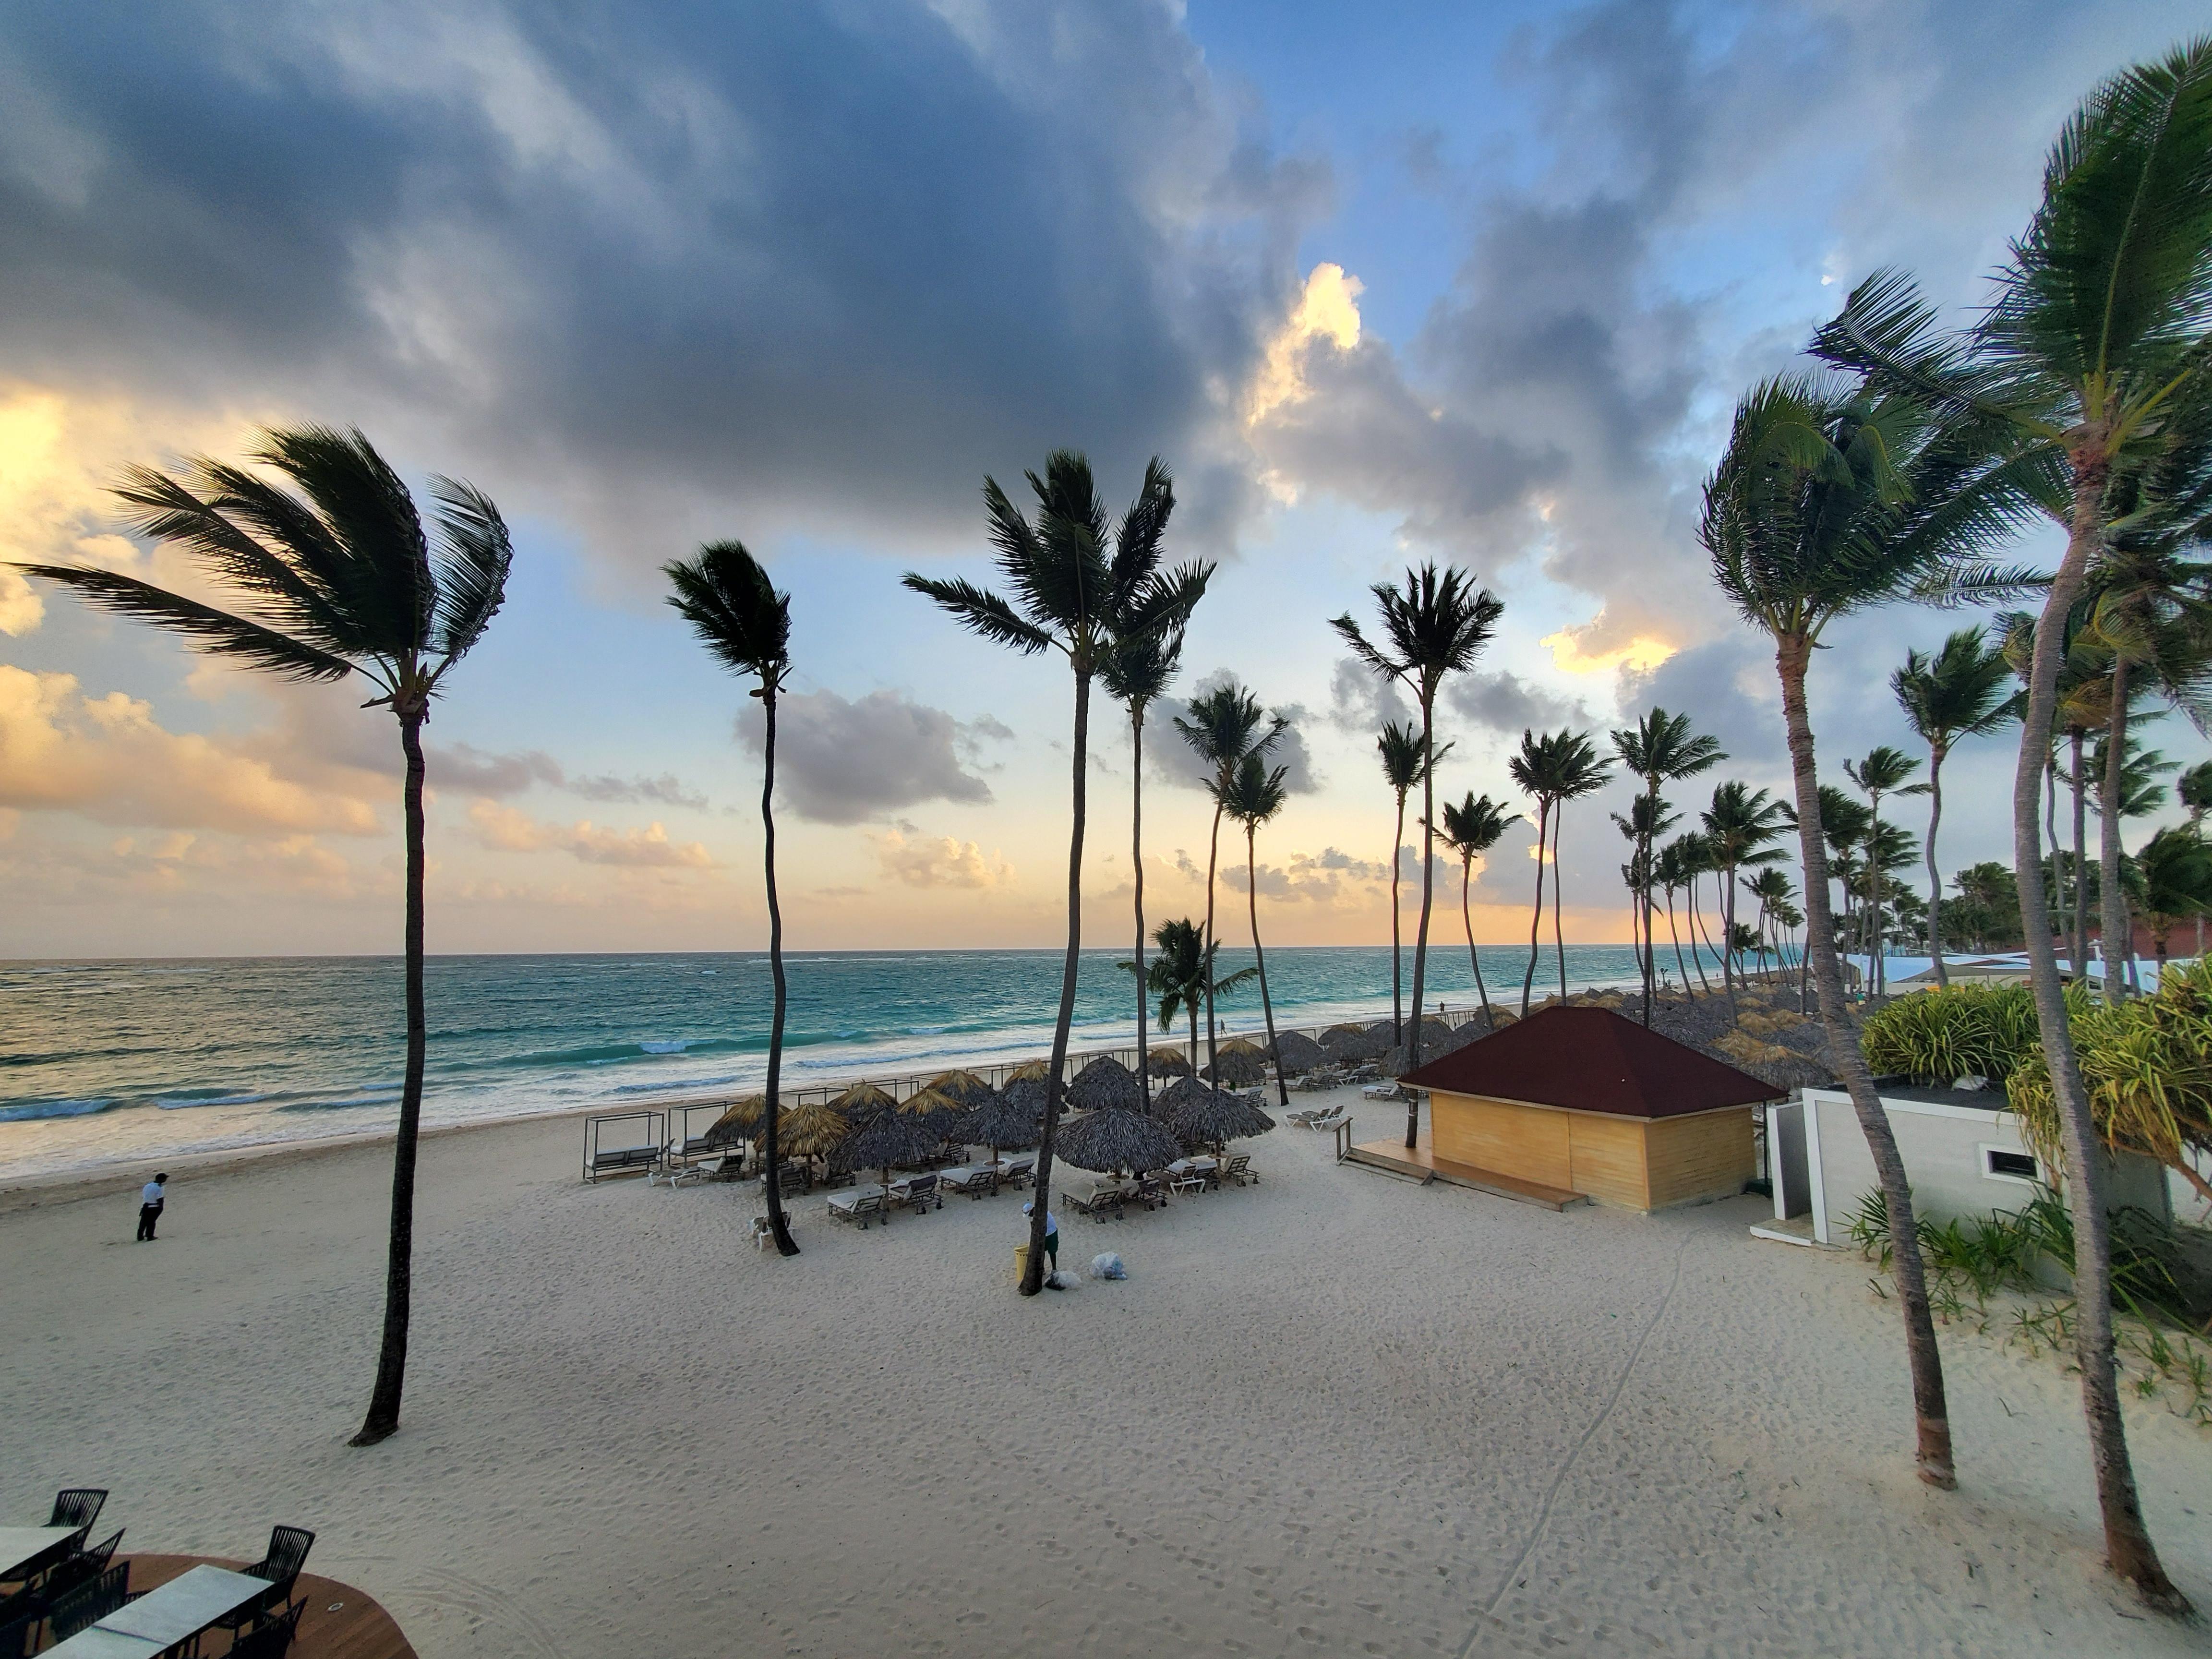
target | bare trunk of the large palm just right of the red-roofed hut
[{"x": 1932, "y": 1415}]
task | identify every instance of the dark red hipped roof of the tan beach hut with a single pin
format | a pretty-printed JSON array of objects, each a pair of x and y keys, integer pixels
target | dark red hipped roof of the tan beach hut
[{"x": 1592, "y": 1061}]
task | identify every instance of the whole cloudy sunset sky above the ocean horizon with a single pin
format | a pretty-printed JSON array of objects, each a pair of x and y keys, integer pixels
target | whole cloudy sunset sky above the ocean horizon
[{"x": 1381, "y": 286}]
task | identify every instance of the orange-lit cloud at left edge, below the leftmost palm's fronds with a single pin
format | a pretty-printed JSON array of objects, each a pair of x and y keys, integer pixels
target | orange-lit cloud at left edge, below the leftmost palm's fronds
[{"x": 112, "y": 762}]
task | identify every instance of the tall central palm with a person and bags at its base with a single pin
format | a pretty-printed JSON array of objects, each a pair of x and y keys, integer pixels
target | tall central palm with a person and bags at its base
[{"x": 1083, "y": 592}]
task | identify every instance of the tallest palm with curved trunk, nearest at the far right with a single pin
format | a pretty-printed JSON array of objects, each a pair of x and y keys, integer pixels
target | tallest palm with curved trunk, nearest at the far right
[{"x": 2096, "y": 340}]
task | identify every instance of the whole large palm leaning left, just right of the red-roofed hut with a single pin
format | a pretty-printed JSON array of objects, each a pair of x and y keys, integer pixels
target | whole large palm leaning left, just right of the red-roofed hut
[{"x": 1830, "y": 501}]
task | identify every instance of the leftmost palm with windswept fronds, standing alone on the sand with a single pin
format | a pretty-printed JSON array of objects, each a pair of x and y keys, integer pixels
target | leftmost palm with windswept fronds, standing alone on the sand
[{"x": 335, "y": 585}]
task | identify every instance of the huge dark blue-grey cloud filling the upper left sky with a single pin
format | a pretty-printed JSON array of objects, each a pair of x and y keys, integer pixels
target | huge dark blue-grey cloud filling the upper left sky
[{"x": 656, "y": 260}]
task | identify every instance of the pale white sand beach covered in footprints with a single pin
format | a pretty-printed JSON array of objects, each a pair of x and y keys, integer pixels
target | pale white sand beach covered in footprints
[{"x": 1326, "y": 1415}]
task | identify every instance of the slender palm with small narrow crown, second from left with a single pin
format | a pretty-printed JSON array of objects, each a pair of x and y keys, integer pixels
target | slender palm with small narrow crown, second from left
[{"x": 747, "y": 625}]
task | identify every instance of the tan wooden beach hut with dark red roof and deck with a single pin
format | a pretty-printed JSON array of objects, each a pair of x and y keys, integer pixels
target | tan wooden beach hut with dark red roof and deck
[{"x": 1578, "y": 1103}]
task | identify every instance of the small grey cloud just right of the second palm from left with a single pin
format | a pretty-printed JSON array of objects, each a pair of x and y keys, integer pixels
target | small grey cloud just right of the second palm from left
[{"x": 848, "y": 762}]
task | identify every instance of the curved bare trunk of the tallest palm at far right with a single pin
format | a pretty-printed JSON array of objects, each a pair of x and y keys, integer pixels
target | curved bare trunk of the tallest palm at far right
[{"x": 2127, "y": 1541}]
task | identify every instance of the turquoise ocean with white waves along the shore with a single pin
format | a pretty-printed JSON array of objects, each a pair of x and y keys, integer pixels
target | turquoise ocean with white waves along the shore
[{"x": 127, "y": 1061}]
